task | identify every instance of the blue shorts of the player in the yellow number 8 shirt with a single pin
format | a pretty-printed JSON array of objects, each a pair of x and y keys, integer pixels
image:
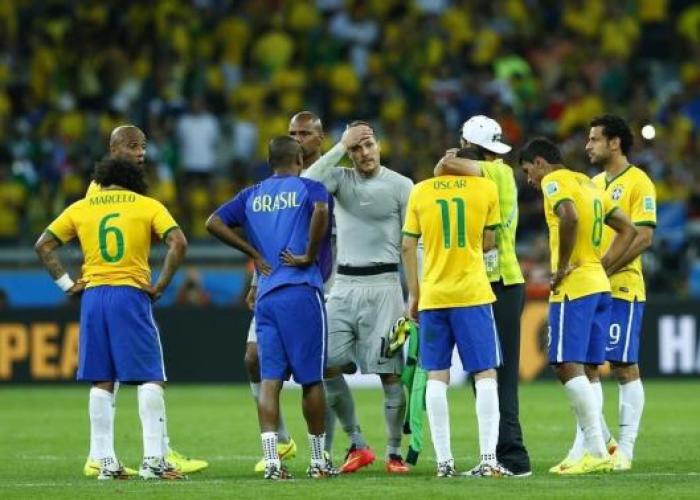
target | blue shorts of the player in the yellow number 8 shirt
[{"x": 578, "y": 329}]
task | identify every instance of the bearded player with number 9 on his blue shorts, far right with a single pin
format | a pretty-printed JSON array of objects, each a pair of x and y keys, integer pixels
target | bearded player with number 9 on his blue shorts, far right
[{"x": 629, "y": 188}]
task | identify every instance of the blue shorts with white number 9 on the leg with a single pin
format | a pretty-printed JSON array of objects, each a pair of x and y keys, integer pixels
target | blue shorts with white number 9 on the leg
[{"x": 625, "y": 331}]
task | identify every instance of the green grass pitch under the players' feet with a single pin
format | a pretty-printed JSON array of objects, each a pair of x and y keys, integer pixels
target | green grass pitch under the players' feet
[{"x": 44, "y": 439}]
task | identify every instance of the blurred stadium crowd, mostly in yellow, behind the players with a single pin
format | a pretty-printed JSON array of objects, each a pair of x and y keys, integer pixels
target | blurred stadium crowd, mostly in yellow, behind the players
[{"x": 210, "y": 81}]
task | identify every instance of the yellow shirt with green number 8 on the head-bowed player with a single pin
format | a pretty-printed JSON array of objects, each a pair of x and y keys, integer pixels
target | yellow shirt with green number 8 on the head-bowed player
[{"x": 592, "y": 208}]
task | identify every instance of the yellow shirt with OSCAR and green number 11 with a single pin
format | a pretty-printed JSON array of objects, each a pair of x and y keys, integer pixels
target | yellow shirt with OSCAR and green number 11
[{"x": 450, "y": 213}]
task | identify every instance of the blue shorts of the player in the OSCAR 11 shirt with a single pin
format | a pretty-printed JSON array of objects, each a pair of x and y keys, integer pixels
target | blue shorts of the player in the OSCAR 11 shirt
[{"x": 472, "y": 329}]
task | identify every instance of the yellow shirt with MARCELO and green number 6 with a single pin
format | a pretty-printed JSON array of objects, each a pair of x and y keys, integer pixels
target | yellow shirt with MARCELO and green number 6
[{"x": 115, "y": 228}]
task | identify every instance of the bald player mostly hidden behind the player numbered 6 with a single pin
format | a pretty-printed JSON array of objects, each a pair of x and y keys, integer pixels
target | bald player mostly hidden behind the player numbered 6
[{"x": 129, "y": 142}]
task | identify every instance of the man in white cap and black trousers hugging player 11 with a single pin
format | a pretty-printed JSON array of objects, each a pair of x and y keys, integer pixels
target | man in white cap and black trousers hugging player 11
[{"x": 504, "y": 274}]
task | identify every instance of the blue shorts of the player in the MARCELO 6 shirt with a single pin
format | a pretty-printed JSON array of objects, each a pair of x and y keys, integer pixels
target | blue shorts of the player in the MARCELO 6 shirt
[{"x": 119, "y": 339}]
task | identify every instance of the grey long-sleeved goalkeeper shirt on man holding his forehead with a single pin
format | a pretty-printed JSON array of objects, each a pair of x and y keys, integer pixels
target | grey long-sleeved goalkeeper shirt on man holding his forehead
[{"x": 369, "y": 212}]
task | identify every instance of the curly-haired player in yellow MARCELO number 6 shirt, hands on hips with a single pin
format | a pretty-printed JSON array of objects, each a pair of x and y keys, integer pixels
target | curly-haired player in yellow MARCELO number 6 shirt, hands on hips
[{"x": 119, "y": 339}]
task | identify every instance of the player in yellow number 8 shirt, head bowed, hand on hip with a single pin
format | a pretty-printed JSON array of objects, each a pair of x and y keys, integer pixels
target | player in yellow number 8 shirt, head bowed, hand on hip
[{"x": 579, "y": 312}]
